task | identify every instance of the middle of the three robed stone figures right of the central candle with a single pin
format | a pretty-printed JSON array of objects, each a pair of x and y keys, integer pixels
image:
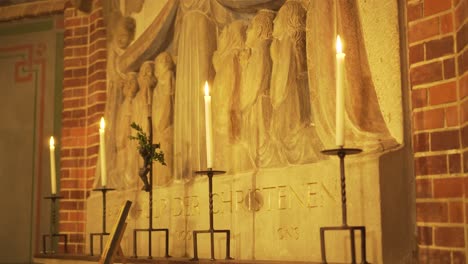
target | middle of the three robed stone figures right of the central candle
[{"x": 255, "y": 103}]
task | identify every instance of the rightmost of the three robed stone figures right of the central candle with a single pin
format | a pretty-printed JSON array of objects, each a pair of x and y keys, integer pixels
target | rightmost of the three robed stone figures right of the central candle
[{"x": 290, "y": 97}]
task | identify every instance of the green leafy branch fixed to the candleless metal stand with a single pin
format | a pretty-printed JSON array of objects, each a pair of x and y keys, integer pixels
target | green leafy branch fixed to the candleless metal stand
[{"x": 149, "y": 151}]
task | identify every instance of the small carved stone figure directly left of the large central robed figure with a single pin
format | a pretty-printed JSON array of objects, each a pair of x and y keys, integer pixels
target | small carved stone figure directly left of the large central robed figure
[{"x": 163, "y": 115}]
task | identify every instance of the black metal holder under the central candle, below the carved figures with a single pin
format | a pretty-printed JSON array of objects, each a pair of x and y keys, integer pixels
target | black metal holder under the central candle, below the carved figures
[{"x": 211, "y": 230}]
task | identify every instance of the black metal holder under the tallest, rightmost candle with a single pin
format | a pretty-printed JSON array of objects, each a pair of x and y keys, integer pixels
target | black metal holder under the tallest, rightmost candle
[{"x": 341, "y": 153}]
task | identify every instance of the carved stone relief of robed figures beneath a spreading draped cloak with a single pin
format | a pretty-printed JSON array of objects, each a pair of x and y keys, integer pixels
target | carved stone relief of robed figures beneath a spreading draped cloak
[{"x": 266, "y": 108}]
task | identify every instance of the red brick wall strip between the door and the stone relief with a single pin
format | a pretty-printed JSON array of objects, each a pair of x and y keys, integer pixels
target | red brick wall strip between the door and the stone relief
[{"x": 84, "y": 96}]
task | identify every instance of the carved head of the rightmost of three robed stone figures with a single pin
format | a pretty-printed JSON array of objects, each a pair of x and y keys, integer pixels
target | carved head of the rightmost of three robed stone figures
[{"x": 291, "y": 20}]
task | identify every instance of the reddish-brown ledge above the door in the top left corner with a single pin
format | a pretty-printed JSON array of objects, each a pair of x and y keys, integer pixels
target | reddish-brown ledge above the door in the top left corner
[{"x": 34, "y": 9}]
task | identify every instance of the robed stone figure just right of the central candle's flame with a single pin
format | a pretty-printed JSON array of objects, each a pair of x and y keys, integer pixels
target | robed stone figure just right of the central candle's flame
[{"x": 226, "y": 88}]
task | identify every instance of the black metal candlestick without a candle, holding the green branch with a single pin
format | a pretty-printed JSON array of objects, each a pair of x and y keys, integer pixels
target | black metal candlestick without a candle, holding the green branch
[{"x": 150, "y": 228}]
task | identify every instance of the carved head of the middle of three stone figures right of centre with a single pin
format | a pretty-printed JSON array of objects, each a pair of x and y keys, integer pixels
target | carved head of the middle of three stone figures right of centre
[{"x": 260, "y": 28}]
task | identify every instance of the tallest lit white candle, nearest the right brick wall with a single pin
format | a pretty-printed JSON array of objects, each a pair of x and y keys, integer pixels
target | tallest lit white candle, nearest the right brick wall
[{"x": 340, "y": 107}]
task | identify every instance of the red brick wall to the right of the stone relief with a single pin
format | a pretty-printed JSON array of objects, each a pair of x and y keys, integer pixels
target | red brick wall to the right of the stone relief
[{"x": 438, "y": 59}]
